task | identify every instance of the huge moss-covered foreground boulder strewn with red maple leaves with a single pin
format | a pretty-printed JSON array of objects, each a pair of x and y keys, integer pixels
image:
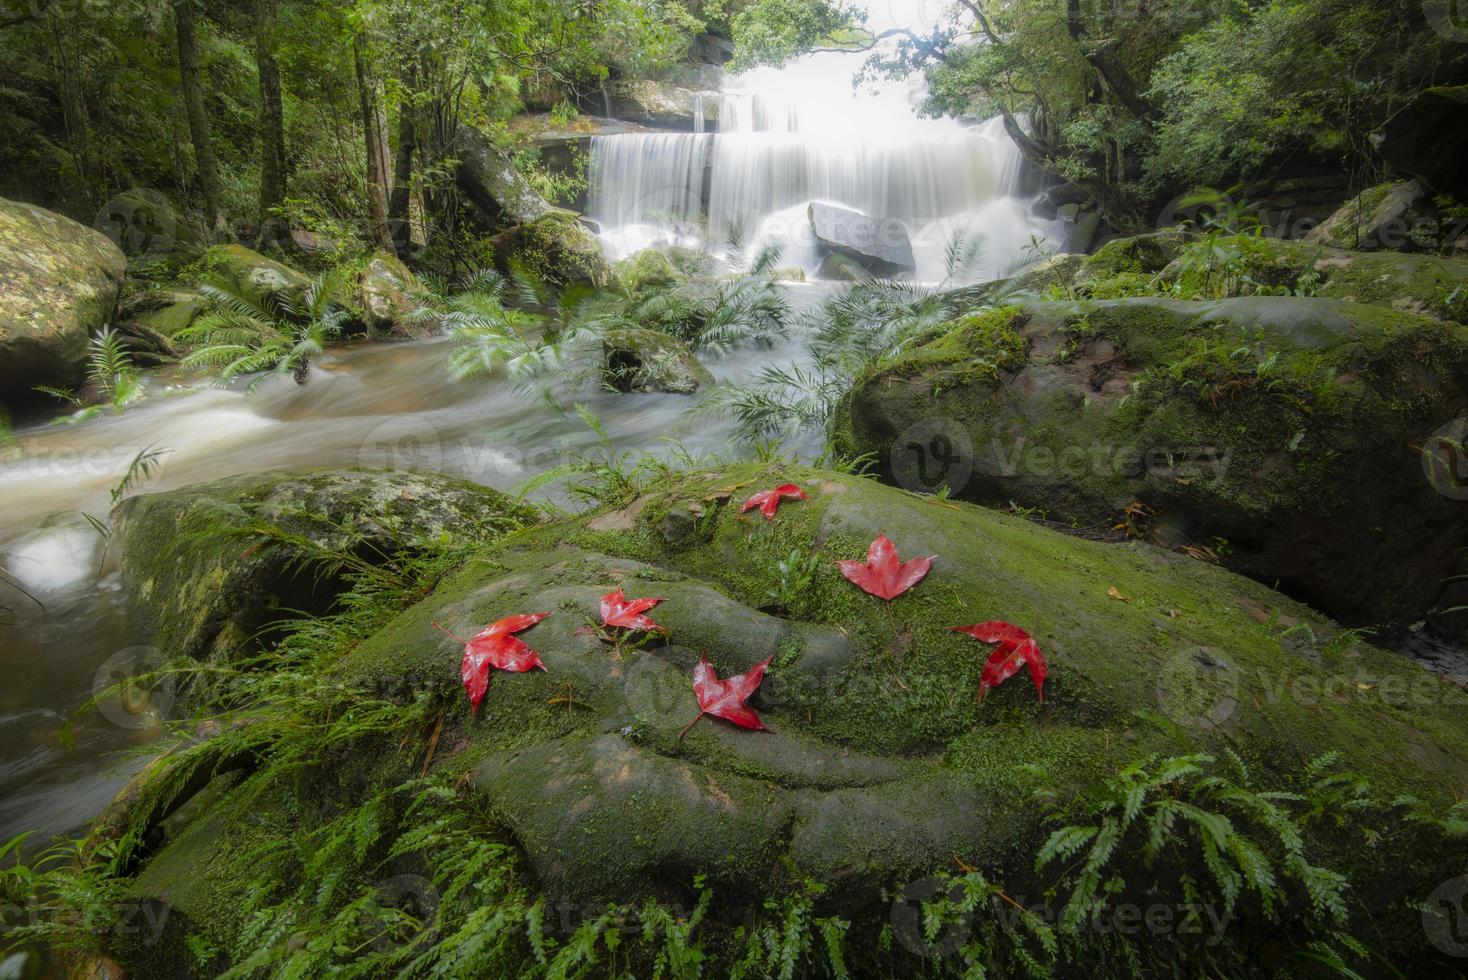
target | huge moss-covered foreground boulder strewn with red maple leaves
[{"x": 882, "y": 768}]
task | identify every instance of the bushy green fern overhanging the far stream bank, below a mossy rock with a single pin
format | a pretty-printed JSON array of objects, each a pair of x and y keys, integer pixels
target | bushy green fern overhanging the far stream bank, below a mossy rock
[{"x": 247, "y": 334}]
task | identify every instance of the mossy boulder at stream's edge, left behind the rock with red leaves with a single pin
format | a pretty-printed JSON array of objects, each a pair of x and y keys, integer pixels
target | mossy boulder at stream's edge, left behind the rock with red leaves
[{"x": 211, "y": 568}]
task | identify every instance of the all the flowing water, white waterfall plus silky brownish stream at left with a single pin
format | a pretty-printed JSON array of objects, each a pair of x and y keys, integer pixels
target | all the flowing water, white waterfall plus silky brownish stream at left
[{"x": 785, "y": 139}]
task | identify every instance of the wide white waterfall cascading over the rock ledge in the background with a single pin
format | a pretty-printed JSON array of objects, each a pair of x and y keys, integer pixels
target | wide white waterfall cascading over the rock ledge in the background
[{"x": 801, "y": 134}]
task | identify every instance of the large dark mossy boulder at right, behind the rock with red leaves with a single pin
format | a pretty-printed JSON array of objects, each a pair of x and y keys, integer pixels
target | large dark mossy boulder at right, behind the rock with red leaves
[{"x": 1282, "y": 435}]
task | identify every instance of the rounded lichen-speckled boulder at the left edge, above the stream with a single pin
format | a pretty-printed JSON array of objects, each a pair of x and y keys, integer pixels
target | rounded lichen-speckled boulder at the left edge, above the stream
[{"x": 59, "y": 281}]
